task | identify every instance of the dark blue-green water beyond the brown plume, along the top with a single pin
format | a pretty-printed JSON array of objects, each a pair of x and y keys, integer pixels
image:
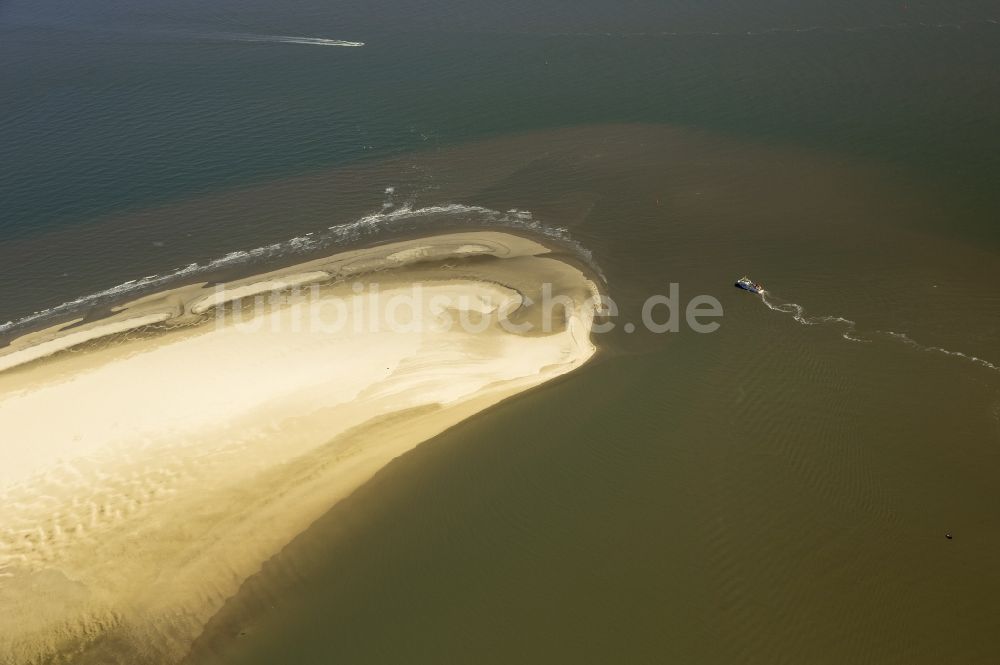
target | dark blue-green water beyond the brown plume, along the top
[{"x": 115, "y": 105}]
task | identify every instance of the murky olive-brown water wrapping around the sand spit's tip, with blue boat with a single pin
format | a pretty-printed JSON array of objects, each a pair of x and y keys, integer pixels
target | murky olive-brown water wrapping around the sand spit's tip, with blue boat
[{"x": 771, "y": 492}]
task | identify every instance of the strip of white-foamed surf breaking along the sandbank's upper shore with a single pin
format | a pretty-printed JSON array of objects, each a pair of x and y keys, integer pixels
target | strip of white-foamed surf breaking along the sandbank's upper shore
[{"x": 451, "y": 217}]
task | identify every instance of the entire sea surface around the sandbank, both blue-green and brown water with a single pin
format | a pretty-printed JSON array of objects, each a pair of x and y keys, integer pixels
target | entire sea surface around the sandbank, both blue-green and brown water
[{"x": 777, "y": 491}]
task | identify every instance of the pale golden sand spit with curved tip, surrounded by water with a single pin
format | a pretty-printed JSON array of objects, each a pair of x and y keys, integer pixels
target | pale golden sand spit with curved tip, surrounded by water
[{"x": 154, "y": 459}]
